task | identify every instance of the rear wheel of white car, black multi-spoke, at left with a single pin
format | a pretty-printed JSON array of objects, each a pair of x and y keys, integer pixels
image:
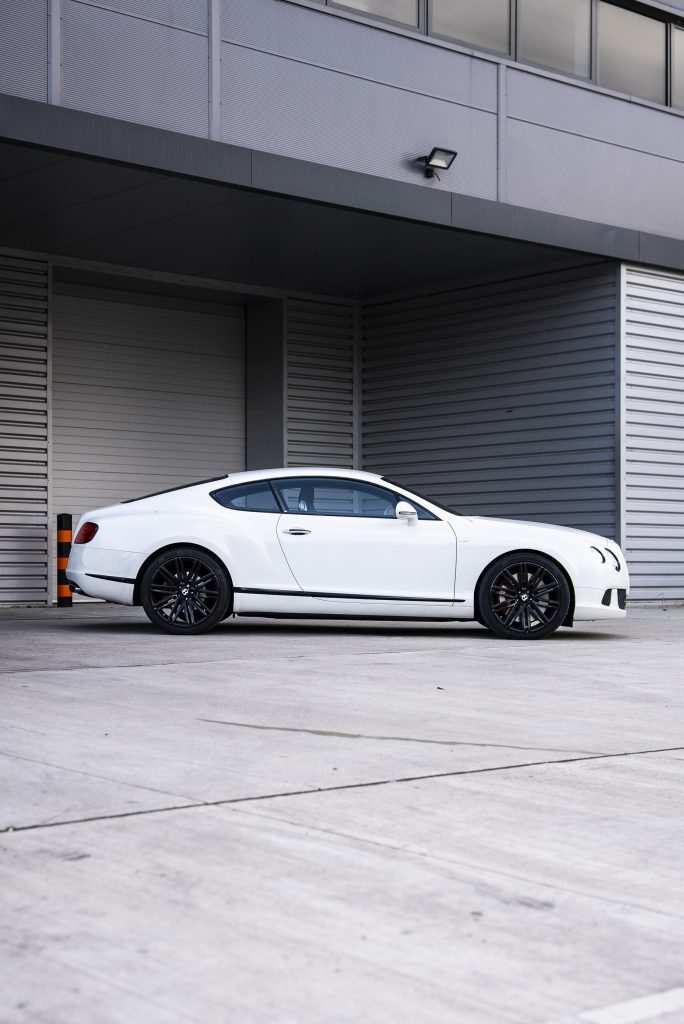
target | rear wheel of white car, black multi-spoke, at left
[{"x": 186, "y": 591}]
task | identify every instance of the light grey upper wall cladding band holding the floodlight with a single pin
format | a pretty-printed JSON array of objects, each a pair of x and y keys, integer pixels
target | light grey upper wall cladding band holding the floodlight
[{"x": 297, "y": 81}]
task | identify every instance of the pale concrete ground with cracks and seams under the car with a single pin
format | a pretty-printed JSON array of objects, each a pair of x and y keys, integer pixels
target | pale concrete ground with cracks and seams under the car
[{"x": 335, "y": 824}]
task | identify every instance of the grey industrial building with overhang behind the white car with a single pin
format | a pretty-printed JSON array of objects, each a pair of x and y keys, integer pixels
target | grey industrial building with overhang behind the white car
[{"x": 220, "y": 250}]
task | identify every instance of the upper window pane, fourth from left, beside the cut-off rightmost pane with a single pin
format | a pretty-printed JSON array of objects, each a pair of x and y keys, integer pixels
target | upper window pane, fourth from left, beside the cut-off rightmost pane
[{"x": 631, "y": 53}]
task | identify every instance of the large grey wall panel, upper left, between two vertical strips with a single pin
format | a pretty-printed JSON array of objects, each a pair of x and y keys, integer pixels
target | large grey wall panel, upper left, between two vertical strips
[{"x": 129, "y": 68}]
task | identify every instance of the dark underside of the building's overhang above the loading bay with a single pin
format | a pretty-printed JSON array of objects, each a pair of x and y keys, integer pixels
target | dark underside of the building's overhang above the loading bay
[{"x": 75, "y": 206}]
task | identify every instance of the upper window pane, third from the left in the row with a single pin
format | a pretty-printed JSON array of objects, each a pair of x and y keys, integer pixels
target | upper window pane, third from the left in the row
[{"x": 555, "y": 33}]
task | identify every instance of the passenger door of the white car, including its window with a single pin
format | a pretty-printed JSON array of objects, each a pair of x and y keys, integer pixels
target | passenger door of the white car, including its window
[{"x": 343, "y": 539}]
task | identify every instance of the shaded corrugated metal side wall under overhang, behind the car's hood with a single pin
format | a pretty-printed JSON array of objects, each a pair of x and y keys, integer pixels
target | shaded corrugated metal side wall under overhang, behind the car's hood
[{"x": 500, "y": 400}]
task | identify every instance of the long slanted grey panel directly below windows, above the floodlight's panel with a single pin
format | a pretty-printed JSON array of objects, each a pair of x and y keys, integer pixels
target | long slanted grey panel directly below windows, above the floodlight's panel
[{"x": 360, "y": 51}]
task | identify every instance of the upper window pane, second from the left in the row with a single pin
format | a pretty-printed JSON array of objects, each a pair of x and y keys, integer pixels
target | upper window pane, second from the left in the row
[{"x": 479, "y": 23}]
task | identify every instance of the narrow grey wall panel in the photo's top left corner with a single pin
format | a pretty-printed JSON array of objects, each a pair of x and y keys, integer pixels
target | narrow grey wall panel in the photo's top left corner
[{"x": 24, "y": 49}]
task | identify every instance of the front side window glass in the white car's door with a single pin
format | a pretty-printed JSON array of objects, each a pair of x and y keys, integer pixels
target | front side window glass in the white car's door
[{"x": 324, "y": 496}]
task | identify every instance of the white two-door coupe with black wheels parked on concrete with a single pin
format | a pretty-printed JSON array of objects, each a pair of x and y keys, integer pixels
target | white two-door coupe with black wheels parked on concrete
[{"x": 328, "y": 543}]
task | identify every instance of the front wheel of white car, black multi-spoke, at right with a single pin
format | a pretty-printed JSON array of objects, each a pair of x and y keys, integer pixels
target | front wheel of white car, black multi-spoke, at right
[{"x": 524, "y": 596}]
